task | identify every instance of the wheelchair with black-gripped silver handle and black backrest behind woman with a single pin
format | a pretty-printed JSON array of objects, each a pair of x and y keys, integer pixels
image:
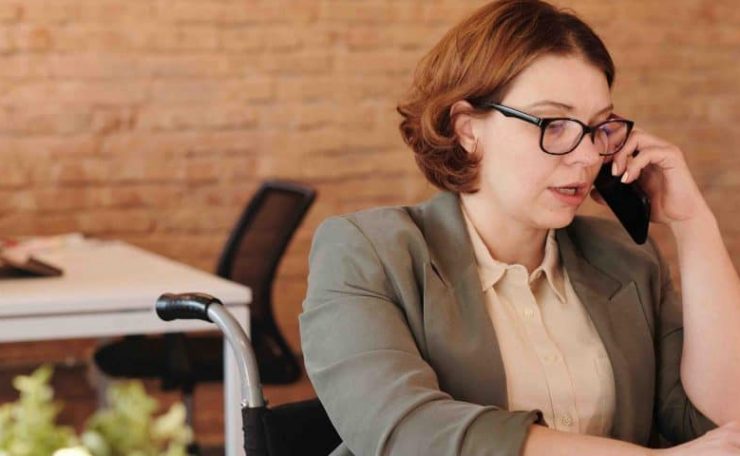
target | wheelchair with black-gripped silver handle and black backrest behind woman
[{"x": 297, "y": 428}]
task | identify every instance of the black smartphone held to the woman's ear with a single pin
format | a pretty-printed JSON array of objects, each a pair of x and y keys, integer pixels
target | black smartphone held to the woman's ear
[{"x": 628, "y": 202}]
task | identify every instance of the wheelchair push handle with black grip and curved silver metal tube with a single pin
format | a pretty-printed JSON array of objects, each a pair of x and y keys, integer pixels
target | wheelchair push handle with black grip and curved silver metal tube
[{"x": 201, "y": 306}]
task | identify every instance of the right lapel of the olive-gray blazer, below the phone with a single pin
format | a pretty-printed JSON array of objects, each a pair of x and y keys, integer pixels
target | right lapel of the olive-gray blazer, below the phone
[{"x": 616, "y": 313}]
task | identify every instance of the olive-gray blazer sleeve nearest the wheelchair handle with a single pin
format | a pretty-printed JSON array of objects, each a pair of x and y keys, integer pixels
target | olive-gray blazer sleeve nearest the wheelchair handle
[{"x": 360, "y": 354}]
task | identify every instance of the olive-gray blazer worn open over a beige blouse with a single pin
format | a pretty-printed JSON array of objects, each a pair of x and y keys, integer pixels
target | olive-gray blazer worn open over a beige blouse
[{"x": 402, "y": 353}]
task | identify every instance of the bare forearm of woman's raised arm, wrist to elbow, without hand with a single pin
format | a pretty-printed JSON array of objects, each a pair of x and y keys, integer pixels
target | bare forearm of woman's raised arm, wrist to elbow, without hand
[{"x": 710, "y": 368}]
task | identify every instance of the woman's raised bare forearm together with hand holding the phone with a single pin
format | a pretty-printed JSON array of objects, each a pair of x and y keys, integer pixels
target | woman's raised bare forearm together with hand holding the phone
[{"x": 710, "y": 363}]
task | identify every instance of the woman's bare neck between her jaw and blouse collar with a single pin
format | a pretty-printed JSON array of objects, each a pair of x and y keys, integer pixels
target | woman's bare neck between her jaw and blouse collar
[{"x": 506, "y": 239}]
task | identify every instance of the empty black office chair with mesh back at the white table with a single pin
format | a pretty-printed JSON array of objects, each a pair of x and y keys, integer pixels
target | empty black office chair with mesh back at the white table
[{"x": 251, "y": 256}]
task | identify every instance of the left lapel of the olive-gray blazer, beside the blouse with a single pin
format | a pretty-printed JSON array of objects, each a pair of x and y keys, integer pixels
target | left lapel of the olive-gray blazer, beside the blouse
[{"x": 461, "y": 340}]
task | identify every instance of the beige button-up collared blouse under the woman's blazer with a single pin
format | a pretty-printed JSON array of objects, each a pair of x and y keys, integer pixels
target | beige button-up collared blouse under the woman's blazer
[{"x": 553, "y": 357}]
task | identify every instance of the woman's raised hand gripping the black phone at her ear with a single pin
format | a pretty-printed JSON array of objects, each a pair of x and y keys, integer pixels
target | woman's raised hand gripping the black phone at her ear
[{"x": 661, "y": 171}]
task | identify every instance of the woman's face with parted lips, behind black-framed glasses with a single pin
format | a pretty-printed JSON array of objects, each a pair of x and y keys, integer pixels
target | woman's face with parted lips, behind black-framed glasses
[{"x": 516, "y": 176}]
